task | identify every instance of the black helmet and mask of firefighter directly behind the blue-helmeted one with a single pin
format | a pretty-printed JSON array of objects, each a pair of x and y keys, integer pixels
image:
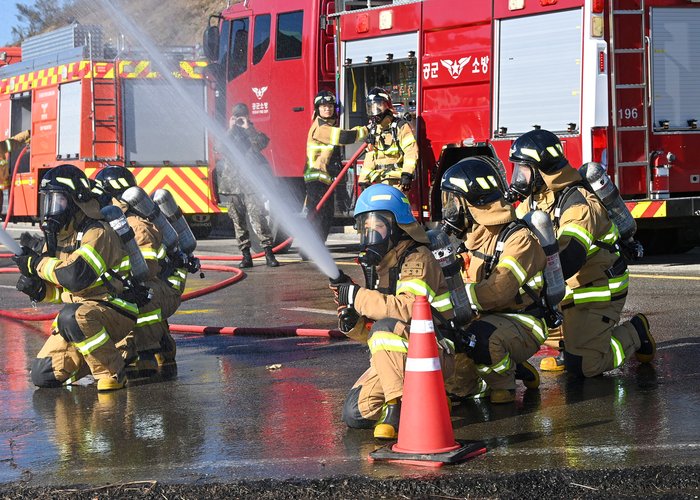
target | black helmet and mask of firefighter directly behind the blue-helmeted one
[{"x": 473, "y": 181}]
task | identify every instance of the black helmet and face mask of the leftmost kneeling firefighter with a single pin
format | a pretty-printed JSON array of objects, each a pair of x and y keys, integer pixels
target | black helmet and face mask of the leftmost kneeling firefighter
[{"x": 62, "y": 187}]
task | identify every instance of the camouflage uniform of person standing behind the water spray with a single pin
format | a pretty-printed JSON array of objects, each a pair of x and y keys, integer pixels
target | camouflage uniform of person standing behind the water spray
[{"x": 243, "y": 198}]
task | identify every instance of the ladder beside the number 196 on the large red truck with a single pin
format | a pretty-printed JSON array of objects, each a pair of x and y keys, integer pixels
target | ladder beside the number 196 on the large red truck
[{"x": 630, "y": 105}]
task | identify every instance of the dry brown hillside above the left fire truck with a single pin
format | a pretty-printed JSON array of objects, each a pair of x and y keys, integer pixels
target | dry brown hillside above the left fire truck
[{"x": 167, "y": 22}]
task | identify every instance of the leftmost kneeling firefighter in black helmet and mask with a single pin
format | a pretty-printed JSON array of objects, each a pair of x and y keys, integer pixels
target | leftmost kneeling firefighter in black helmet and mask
[{"x": 87, "y": 259}]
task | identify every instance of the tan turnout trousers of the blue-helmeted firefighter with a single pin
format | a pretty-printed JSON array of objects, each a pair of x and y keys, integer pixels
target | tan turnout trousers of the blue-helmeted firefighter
[{"x": 383, "y": 380}]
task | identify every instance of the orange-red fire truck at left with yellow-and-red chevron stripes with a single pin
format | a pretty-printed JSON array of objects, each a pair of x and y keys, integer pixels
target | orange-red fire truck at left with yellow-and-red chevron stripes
[{"x": 92, "y": 105}]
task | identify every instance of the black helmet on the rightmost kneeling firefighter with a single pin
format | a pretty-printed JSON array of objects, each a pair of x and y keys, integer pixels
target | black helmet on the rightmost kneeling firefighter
[{"x": 540, "y": 149}]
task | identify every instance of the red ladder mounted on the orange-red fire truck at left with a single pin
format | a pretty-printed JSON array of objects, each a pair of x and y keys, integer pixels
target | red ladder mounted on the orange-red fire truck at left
[{"x": 107, "y": 106}]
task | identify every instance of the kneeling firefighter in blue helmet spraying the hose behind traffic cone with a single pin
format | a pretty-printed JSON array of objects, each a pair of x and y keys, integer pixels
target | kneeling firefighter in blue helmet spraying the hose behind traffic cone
[{"x": 394, "y": 250}]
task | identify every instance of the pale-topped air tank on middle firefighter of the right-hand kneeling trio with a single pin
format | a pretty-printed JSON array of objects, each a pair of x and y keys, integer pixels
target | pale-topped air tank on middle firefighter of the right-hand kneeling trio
[{"x": 540, "y": 224}]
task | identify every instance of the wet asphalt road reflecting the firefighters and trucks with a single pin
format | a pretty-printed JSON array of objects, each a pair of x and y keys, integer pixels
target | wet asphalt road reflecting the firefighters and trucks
[{"x": 224, "y": 416}]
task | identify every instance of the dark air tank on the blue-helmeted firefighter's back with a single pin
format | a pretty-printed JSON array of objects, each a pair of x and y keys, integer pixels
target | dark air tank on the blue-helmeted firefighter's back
[{"x": 443, "y": 251}]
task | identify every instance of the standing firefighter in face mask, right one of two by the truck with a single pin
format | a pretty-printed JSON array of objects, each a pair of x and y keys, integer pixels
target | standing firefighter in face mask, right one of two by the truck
[{"x": 394, "y": 150}]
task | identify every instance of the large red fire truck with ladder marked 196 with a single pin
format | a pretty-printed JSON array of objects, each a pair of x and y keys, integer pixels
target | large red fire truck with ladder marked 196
[{"x": 616, "y": 80}]
